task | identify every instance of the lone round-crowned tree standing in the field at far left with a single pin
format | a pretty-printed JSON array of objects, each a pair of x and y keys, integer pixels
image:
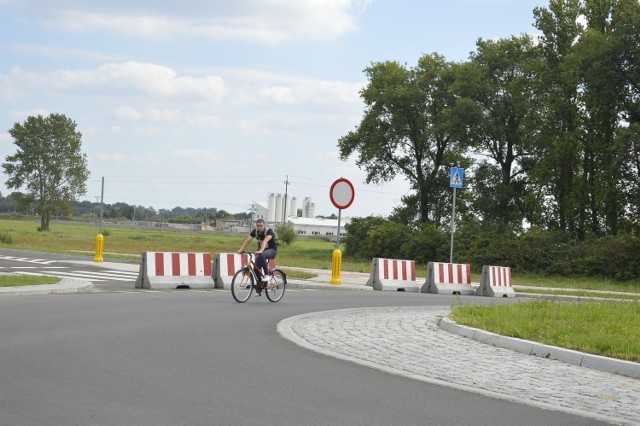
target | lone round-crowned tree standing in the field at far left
[{"x": 48, "y": 164}]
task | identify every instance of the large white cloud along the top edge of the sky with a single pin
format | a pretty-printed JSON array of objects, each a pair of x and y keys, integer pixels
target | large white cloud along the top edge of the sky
[{"x": 262, "y": 21}]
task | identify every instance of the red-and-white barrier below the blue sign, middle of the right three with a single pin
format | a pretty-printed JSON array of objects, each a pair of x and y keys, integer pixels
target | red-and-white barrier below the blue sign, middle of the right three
[{"x": 448, "y": 278}]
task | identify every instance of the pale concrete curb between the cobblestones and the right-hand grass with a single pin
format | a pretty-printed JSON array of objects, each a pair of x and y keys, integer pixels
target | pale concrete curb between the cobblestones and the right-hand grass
[{"x": 594, "y": 362}]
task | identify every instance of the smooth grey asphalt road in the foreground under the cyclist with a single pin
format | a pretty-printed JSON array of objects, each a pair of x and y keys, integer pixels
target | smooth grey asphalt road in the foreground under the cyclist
[{"x": 199, "y": 358}]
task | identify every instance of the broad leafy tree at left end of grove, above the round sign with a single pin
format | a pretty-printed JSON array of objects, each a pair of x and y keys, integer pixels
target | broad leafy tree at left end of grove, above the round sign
[{"x": 408, "y": 130}]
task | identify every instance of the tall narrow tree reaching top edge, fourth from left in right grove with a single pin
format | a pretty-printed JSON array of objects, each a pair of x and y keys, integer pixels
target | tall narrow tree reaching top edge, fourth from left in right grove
[{"x": 601, "y": 85}]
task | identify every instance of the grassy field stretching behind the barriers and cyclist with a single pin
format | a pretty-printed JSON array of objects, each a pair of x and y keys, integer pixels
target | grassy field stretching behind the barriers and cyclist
[{"x": 303, "y": 253}]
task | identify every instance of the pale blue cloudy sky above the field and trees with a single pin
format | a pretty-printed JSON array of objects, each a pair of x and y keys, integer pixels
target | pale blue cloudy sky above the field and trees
[{"x": 216, "y": 104}]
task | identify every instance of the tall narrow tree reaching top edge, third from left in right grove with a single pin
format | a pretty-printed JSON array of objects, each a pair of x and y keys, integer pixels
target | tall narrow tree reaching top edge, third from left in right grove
[{"x": 560, "y": 132}]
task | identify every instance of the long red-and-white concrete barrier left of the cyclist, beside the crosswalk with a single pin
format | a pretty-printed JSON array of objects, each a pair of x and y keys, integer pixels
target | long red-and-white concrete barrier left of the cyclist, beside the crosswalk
[{"x": 167, "y": 270}]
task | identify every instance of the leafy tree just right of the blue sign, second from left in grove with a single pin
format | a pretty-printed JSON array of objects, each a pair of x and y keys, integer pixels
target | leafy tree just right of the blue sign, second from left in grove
[{"x": 502, "y": 122}]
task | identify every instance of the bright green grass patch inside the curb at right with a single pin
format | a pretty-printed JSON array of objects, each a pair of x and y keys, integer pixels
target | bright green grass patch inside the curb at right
[{"x": 608, "y": 328}]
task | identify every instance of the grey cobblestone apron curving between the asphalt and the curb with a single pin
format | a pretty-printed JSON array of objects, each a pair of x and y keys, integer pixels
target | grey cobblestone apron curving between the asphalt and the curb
[{"x": 408, "y": 341}]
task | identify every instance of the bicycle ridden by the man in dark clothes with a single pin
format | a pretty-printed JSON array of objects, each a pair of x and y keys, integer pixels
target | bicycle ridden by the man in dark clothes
[{"x": 247, "y": 278}]
